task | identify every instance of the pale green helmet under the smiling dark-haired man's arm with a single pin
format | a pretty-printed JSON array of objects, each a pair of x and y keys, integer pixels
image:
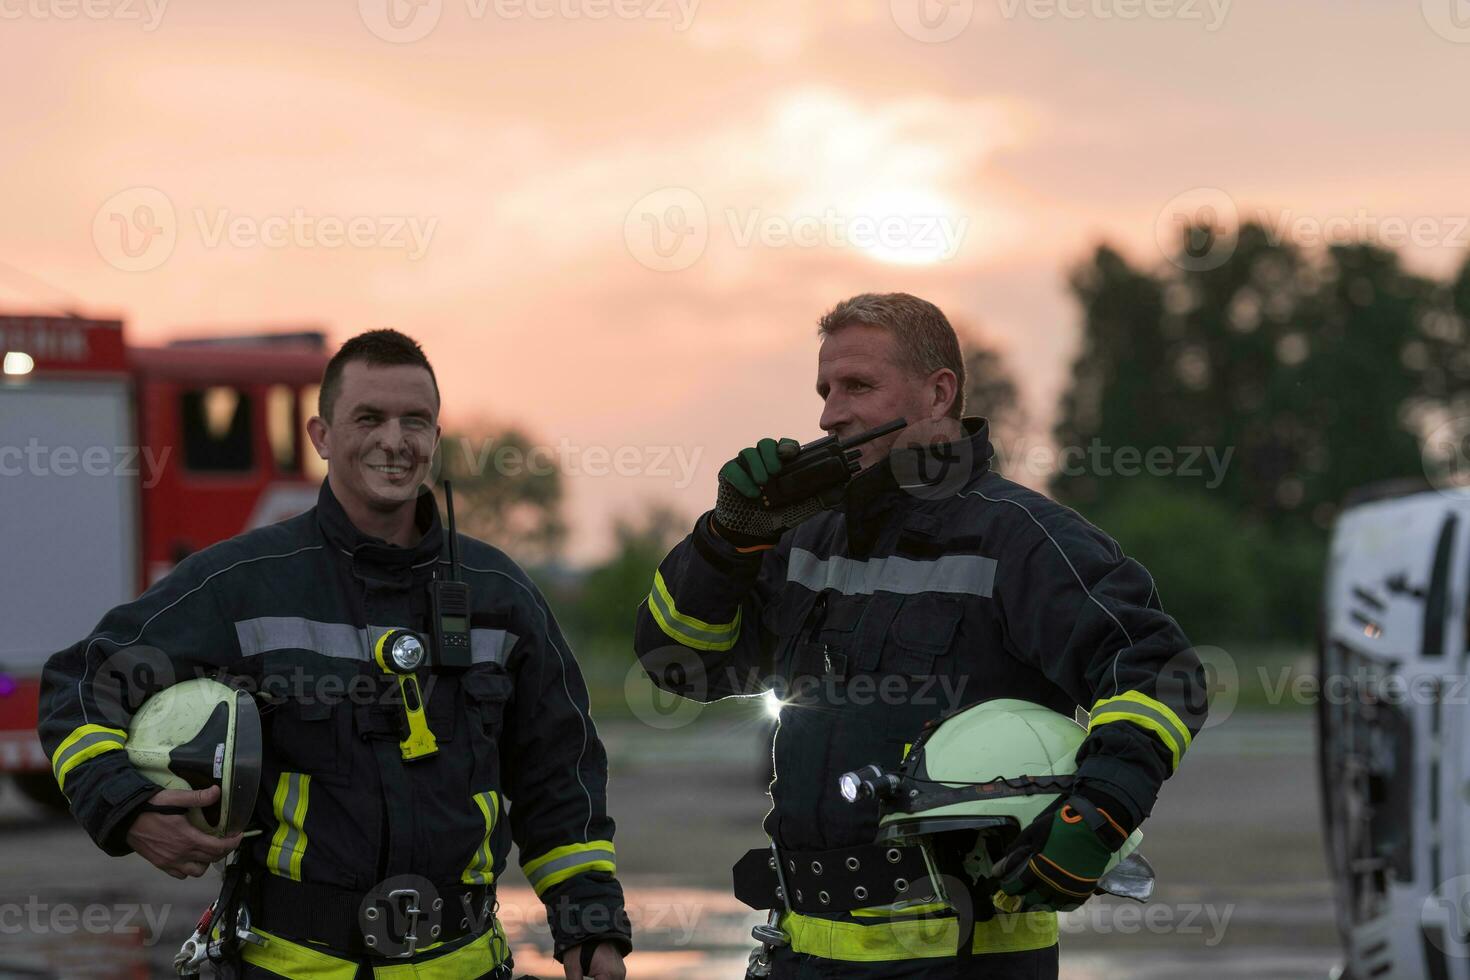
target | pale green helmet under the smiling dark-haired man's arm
[{"x": 196, "y": 735}]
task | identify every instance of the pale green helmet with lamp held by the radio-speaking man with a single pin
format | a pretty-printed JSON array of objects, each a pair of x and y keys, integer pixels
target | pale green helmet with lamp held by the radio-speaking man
[{"x": 986, "y": 774}]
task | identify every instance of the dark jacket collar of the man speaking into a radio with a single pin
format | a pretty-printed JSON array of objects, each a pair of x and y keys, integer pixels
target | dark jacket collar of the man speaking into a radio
[{"x": 921, "y": 472}]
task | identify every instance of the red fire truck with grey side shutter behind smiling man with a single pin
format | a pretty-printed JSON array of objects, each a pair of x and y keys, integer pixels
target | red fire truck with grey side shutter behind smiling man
[{"x": 115, "y": 464}]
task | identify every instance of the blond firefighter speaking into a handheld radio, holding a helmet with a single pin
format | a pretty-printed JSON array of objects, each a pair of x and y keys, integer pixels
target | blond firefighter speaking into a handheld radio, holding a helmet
[{"x": 880, "y": 583}]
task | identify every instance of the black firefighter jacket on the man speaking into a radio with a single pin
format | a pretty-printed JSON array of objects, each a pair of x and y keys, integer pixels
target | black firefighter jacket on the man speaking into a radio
[{"x": 936, "y": 586}]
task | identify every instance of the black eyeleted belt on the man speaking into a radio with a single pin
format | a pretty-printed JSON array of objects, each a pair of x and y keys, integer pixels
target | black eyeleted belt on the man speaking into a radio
[{"x": 840, "y": 881}]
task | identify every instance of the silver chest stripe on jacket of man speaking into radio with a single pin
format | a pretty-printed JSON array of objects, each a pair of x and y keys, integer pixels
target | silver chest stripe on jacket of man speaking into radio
[{"x": 969, "y": 575}]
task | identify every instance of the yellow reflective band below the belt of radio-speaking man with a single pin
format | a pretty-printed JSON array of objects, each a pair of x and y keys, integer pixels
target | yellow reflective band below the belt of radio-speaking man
[{"x": 915, "y": 940}]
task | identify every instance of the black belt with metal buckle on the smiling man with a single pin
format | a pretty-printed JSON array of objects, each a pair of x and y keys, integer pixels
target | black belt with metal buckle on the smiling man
[{"x": 387, "y": 922}]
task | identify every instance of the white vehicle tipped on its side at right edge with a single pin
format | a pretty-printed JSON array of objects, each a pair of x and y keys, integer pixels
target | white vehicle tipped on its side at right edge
[{"x": 1394, "y": 732}]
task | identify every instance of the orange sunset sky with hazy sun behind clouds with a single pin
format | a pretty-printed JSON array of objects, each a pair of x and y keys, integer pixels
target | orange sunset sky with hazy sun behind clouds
[{"x": 617, "y": 221}]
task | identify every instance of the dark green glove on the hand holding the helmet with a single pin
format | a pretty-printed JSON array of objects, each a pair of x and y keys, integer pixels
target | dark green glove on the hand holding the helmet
[{"x": 1056, "y": 862}]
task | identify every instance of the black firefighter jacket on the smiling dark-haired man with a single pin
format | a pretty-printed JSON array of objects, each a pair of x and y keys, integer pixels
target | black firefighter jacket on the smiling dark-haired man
[{"x": 292, "y": 610}]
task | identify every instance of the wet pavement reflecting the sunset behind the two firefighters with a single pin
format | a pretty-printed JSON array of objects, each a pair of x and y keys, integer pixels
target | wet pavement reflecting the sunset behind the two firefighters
[{"x": 1236, "y": 841}]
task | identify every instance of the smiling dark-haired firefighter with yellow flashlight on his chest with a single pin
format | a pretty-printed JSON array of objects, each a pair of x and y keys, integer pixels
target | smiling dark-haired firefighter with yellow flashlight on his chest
[{"x": 361, "y": 710}]
